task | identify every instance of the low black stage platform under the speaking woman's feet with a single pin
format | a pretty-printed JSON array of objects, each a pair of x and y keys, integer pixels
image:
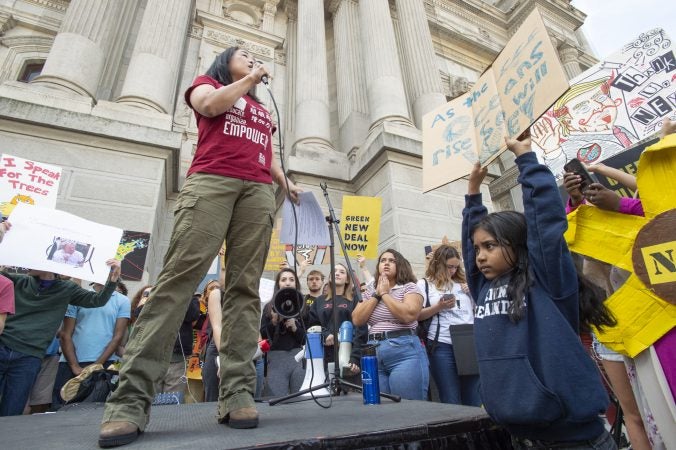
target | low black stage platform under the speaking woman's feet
[{"x": 347, "y": 424}]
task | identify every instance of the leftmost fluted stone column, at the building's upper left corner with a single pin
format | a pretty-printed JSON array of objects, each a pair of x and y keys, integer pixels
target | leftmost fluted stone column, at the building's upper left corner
[{"x": 76, "y": 60}]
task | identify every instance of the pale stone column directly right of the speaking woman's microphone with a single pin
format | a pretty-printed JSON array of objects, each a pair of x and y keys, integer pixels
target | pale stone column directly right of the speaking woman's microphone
[{"x": 312, "y": 87}]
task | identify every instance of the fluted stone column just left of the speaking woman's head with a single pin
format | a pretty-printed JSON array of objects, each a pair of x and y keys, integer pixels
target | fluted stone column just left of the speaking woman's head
[{"x": 153, "y": 70}]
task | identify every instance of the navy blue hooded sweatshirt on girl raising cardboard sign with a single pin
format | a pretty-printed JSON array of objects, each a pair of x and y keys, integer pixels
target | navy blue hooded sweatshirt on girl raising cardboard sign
[{"x": 536, "y": 378}]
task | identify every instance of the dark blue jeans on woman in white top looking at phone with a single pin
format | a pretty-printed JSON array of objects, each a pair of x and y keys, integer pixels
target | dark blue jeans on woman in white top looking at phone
[{"x": 453, "y": 388}]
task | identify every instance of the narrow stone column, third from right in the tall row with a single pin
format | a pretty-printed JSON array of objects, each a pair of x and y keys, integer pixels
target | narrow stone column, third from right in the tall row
[{"x": 350, "y": 80}]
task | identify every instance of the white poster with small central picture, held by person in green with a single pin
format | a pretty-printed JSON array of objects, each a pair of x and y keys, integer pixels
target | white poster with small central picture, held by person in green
[{"x": 55, "y": 241}]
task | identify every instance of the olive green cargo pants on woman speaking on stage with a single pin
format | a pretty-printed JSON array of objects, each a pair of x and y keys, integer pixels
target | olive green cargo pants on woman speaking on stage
[{"x": 209, "y": 209}]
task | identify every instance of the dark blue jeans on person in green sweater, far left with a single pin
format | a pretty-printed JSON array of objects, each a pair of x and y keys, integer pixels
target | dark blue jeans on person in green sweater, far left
[{"x": 18, "y": 372}]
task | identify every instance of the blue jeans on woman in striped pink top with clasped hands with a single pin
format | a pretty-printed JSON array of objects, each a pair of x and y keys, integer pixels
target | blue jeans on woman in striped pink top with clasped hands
[{"x": 403, "y": 368}]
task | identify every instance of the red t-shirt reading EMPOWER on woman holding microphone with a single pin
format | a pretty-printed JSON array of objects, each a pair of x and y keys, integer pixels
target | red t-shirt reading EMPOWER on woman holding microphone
[{"x": 235, "y": 144}]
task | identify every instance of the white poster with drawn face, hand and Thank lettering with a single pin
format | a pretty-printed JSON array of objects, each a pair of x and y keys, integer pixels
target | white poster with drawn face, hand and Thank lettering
[{"x": 611, "y": 106}]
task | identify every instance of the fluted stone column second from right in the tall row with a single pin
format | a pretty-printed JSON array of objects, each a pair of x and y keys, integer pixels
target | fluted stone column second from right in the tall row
[{"x": 385, "y": 87}]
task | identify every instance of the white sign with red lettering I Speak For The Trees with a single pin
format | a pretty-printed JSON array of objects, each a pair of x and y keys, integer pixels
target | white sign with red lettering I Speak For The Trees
[{"x": 27, "y": 181}]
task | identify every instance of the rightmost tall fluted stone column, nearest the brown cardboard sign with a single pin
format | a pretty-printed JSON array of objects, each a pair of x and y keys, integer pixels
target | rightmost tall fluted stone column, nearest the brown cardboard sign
[{"x": 419, "y": 58}]
